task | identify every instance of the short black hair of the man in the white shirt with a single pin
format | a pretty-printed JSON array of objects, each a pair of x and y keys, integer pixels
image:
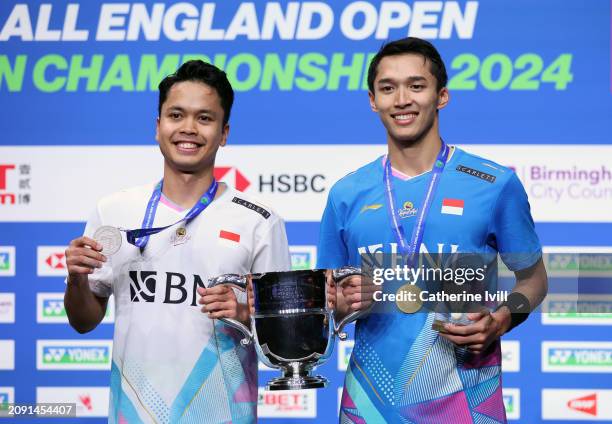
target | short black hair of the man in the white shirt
[{"x": 200, "y": 71}]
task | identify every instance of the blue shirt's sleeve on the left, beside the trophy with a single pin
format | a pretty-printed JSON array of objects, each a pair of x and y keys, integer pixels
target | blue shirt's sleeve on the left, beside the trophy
[{"x": 332, "y": 251}]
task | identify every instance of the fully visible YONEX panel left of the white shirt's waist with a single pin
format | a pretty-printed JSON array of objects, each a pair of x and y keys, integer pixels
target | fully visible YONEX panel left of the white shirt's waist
[{"x": 73, "y": 354}]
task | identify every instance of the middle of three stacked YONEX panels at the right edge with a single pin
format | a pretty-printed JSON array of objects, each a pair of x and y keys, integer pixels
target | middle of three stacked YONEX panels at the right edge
[{"x": 577, "y": 309}]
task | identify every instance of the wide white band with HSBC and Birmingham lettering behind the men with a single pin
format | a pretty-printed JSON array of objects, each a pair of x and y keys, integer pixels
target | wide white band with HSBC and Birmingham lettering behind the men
[{"x": 573, "y": 185}]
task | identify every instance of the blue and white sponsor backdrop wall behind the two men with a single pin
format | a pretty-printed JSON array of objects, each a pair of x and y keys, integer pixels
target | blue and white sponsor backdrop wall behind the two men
[{"x": 530, "y": 87}]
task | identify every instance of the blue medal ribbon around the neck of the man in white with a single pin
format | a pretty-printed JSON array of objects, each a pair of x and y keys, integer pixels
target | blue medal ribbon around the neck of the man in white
[{"x": 140, "y": 237}]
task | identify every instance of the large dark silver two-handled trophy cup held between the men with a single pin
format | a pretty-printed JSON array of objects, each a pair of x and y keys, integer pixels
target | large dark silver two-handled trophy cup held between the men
[{"x": 292, "y": 327}]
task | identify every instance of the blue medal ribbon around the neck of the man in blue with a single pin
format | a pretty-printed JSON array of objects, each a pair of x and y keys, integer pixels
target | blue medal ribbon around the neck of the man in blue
[{"x": 412, "y": 248}]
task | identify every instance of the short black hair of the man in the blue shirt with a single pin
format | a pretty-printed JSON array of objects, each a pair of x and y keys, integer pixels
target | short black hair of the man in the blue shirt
[{"x": 410, "y": 45}]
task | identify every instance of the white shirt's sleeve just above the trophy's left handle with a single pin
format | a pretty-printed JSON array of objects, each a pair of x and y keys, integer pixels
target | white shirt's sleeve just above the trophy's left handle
[{"x": 271, "y": 249}]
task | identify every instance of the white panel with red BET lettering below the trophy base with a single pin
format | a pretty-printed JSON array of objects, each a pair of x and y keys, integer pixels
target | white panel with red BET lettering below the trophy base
[{"x": 287, "y": 403}]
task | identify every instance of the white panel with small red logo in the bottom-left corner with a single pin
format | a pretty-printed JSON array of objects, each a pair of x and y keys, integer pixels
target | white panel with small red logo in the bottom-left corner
[{"x": 90, "y": 401}]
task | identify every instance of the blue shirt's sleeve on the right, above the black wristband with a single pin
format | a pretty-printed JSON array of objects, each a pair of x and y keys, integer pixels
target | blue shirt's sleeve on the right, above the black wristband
[{"x": 513, "y": 229}]
